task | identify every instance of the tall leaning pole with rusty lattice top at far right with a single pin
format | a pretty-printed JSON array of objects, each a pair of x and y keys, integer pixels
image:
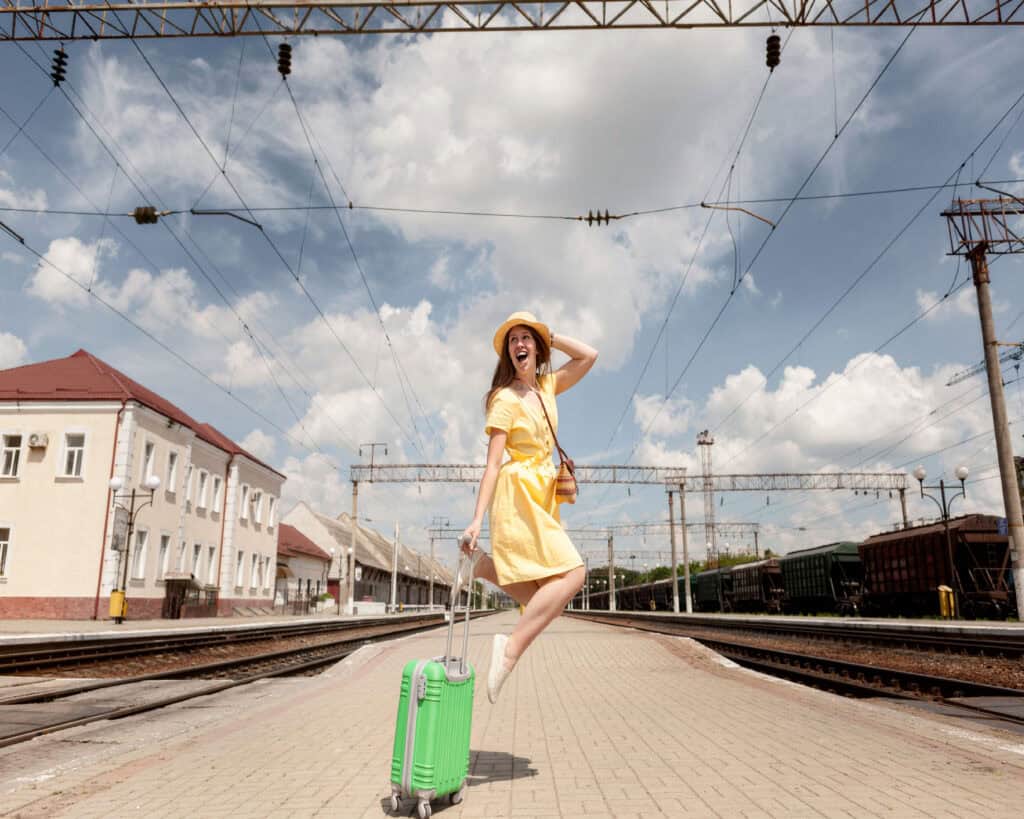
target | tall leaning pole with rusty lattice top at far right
[{"x": 977, "y": 229}]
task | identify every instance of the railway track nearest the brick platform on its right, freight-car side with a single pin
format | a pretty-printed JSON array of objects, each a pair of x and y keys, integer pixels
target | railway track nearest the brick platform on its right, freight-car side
[{"x": 851, "y": 679}]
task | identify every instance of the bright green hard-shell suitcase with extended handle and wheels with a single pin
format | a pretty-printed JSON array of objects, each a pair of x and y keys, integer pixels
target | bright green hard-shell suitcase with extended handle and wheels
[{"x": 436, "y": 718}]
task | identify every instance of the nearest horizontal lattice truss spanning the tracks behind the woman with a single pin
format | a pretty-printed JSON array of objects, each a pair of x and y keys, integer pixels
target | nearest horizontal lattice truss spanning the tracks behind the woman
[{"x": 671, "y": 478}]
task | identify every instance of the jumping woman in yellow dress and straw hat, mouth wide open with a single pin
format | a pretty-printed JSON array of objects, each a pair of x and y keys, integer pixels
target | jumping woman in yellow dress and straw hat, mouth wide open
[{"x": 534, "y": 561}]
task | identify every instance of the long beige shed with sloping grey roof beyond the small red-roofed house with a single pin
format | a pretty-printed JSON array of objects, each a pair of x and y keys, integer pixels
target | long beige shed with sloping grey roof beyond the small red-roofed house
[{"x": 374, "y": 558}]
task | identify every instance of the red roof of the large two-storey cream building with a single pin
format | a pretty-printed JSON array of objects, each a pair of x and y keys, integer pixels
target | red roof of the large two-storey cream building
[{"x": 83, "y": 377}]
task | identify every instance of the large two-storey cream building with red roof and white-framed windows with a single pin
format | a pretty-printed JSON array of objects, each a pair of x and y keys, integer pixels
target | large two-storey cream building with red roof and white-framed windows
[{"x": 67, "y": 428}]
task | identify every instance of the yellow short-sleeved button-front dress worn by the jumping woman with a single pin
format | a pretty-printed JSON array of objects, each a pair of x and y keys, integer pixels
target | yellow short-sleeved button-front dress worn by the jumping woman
[{"x": 528, "y": 540}]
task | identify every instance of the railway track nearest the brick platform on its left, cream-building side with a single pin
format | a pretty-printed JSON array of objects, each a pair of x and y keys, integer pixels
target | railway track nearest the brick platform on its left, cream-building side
[{"x": 24, "y": 717}]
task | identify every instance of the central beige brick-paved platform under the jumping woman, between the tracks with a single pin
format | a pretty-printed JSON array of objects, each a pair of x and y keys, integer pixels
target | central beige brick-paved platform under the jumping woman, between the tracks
[{"x": 596, "y": 722}]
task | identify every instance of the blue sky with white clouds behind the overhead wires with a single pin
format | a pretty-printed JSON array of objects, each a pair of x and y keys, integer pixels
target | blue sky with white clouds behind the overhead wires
[{"x": 530, "y": 124}]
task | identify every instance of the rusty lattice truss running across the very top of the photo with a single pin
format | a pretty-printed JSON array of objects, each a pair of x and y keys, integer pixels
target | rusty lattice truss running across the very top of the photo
[{"x": 89, "y": 20}]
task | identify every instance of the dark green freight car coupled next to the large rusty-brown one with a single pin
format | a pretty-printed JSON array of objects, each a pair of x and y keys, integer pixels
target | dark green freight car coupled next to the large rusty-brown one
[{"x": 824, "y": 579}]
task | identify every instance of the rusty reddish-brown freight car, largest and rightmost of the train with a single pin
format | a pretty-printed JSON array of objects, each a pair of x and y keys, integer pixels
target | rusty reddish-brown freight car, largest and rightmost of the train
[{"x": 904, "y": 570}]
